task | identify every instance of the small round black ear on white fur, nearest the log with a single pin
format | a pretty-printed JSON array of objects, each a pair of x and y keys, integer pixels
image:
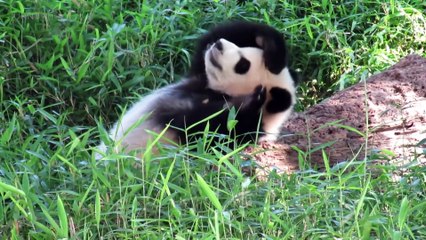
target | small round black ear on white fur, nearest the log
[{"x": 281, "y": 100}]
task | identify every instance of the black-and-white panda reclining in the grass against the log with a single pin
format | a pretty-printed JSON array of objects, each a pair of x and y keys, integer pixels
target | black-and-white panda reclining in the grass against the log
[{"x": 241, "y": 71}]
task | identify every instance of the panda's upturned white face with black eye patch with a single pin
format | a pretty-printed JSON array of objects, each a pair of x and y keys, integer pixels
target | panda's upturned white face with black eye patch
[{"x": 234, "y": 70}]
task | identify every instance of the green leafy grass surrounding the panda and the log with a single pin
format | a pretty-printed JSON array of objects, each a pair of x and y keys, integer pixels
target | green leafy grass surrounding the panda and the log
[{"x": 66, "y": 67}]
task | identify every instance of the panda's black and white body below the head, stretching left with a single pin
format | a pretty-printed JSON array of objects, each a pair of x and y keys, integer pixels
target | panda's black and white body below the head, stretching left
[{"x": 180, "y": 107}]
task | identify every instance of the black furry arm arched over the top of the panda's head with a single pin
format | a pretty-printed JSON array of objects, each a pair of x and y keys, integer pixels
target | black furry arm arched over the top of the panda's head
[{"x": 244, "y": 34}]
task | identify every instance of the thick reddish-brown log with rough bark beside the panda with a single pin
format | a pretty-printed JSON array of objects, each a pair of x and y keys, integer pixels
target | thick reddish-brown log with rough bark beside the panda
[{"x": 383, "y": 117}]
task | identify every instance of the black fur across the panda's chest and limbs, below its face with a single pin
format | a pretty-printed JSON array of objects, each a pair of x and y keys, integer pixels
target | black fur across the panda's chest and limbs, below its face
[{"x": 248, "y": 111}]
